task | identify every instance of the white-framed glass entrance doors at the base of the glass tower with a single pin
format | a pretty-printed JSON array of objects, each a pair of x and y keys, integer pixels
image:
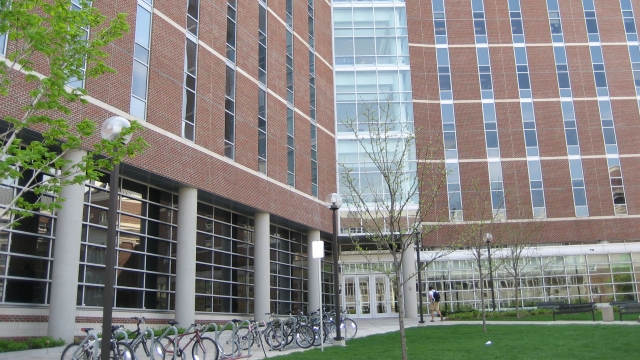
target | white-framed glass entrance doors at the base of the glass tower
[{"x": 368, "y": 296}]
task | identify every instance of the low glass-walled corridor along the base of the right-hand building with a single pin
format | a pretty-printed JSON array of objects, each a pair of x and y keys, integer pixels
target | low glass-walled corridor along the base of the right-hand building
[{"x": 587, "y": 273}]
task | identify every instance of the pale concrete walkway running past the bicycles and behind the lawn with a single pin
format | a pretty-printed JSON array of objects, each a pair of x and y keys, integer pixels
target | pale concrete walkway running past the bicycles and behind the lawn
[{"x": 365, "y": 327}]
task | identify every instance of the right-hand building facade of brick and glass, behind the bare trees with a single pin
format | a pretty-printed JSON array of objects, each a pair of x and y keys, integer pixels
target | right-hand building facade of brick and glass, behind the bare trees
[{"x": 535, "y": 105}]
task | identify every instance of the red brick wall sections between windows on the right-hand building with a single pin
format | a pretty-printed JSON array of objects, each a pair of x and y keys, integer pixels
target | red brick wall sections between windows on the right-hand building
[{"x": 551, "y": 139}]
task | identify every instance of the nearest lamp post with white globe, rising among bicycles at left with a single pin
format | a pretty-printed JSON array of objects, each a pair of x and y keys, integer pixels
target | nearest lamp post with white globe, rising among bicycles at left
[{"x": 111, "y": 129}]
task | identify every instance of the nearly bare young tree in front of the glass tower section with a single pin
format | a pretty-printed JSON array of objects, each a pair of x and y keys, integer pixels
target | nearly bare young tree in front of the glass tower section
[{"x": 390, "y": 191}]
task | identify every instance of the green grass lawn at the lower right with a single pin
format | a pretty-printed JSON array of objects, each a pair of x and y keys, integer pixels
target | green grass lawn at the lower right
[{"x": 466, "y": 341}]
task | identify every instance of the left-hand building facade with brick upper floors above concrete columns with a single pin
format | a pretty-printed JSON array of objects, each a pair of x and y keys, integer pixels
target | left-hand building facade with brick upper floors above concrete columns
[{"x": 215, "y": 218}]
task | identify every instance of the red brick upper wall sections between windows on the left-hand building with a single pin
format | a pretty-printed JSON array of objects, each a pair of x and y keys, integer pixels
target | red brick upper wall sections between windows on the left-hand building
[{"x": 177, "y": 160}]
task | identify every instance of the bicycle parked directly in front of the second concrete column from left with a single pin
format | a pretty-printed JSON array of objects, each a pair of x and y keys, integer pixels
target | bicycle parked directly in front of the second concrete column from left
[{"x": 204, "y": 348}]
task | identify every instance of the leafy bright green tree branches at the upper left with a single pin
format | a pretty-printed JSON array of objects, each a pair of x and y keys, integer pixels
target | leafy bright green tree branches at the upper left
[{"x": 49, "y": 55}]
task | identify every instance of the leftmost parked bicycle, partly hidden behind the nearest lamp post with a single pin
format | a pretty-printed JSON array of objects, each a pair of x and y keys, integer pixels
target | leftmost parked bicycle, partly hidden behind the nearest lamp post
[{"x": 89, "y": 348}]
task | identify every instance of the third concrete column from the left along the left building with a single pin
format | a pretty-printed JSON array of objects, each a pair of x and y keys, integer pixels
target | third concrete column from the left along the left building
[{"x": 261, "y": 267}]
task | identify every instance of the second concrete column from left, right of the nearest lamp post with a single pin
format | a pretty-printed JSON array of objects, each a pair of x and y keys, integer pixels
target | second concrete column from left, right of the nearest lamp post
[{"x": 185, "y": 258}]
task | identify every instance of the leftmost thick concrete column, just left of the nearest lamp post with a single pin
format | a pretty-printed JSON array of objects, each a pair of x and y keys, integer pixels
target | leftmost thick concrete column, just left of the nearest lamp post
[{"x": 64, "y": 273}]
